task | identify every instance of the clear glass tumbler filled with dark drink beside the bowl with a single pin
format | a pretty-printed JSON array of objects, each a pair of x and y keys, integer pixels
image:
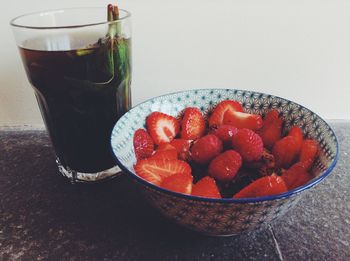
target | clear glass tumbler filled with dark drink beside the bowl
[{"x": 79, "y": 65}]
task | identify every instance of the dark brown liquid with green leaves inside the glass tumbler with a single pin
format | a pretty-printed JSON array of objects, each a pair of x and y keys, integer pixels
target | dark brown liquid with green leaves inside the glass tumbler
[{"x": 81, "y": 94}]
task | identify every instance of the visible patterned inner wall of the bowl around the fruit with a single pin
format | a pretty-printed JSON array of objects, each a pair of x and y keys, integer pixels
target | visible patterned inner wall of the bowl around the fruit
[{"x": 312, "y": 125}]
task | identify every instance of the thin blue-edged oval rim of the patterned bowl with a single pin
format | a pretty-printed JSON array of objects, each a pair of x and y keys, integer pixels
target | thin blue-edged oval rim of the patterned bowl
[{"x": 228, "y": 200}]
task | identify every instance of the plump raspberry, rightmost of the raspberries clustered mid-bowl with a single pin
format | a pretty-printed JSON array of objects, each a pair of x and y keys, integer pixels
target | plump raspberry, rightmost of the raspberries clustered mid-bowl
[{"x": 249, "y": 144}]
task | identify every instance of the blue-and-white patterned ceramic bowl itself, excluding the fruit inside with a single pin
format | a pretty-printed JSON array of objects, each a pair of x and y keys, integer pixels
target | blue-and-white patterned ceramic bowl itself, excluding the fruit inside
[{"x": 223, "y": 217}]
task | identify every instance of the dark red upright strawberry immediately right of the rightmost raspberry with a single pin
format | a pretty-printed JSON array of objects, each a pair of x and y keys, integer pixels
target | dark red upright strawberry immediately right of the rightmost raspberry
[{"x": 272, "y": 129}]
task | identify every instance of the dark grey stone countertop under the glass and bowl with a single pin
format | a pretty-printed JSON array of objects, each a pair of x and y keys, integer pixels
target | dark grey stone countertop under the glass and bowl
[{"x": 42, "y": 216}]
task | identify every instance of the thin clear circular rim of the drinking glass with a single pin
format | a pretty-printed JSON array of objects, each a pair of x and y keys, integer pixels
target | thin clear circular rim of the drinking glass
[{"x": 14, "y": 24}]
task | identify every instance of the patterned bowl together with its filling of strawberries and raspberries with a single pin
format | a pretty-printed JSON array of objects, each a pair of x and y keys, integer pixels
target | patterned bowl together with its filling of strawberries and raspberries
[{"x": 223, "y": 161}]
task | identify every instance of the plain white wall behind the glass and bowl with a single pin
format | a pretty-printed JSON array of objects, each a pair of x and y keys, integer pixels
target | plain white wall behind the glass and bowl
[{"x": 296, "y": 49}]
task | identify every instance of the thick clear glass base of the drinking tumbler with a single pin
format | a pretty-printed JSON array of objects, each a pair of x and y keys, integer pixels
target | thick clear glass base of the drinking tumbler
[{"x": 75, "y": 176}]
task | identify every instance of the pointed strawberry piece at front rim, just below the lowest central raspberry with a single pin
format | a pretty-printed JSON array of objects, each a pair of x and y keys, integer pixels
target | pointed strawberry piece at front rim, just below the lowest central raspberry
[{"x": 206, "y": 187}]
